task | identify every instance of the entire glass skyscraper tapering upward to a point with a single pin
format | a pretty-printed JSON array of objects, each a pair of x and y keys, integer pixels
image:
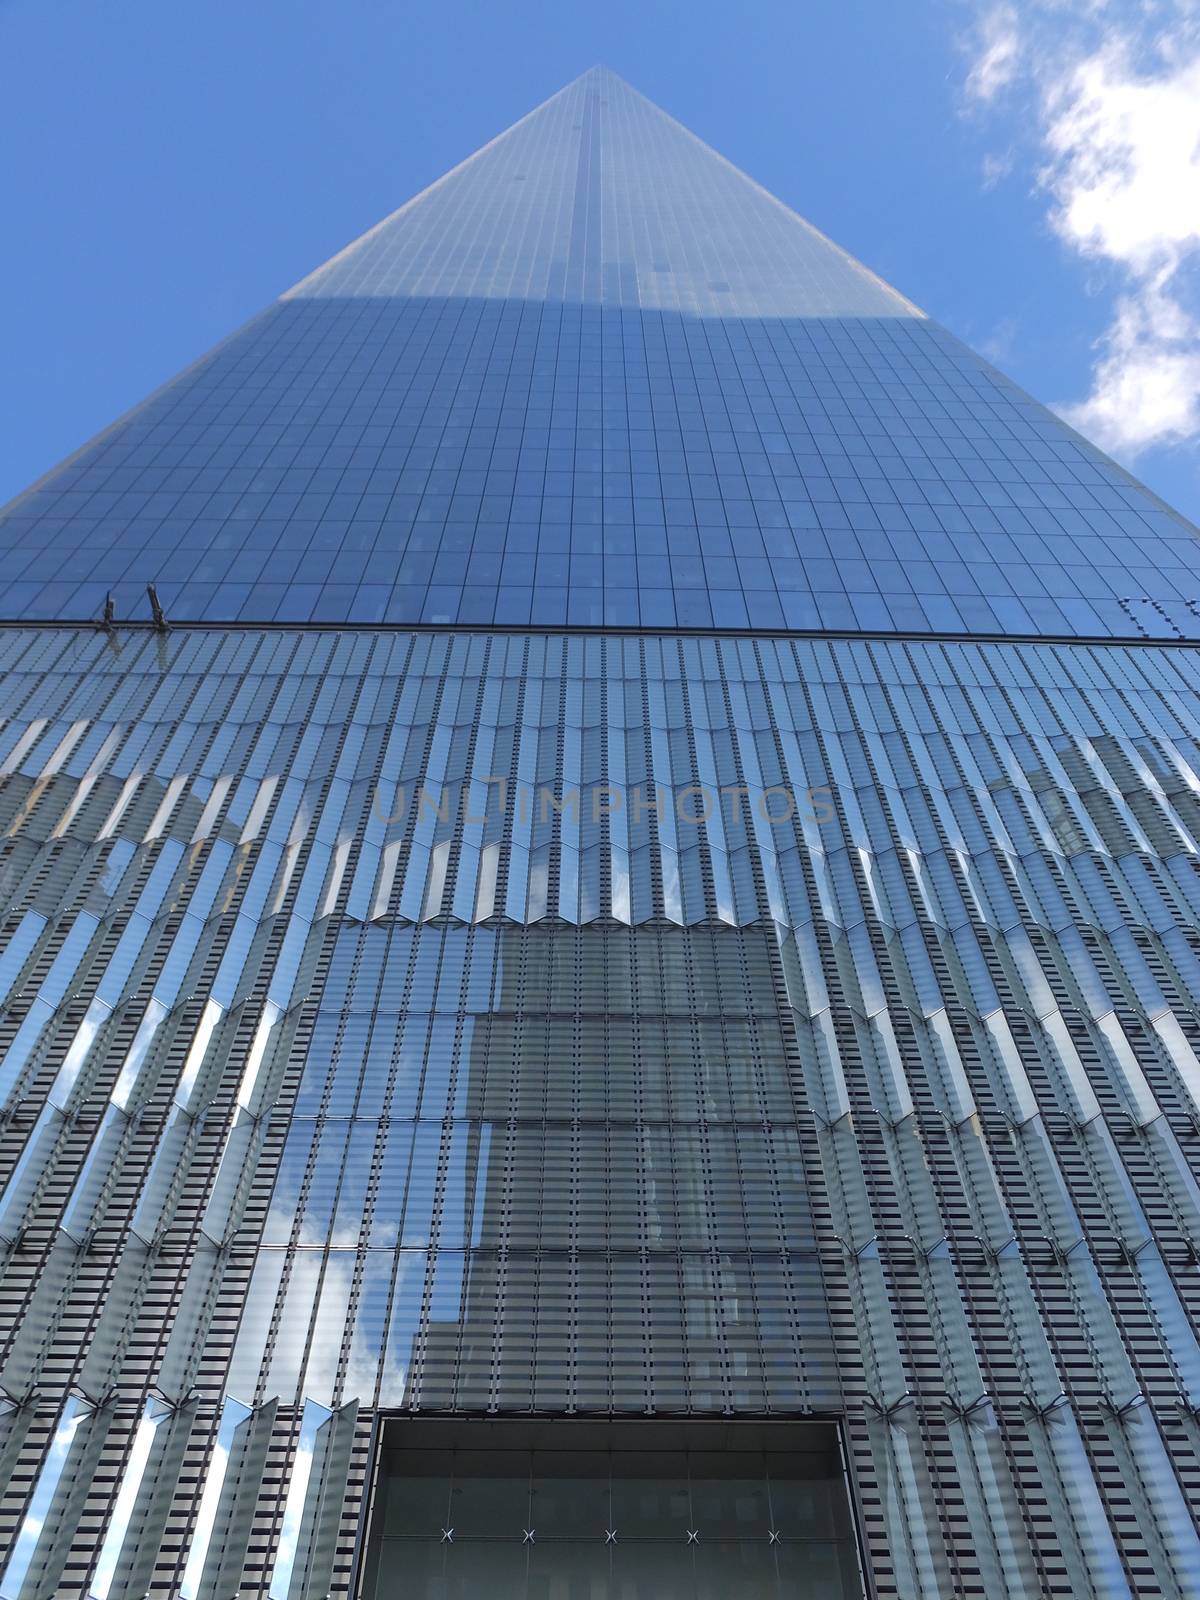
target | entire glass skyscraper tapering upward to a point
[{"x": 601, "y": 943}]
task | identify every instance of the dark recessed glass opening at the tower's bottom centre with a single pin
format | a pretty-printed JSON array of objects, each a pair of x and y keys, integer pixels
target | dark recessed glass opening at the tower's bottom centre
[{"x": 639, "y": 1511}]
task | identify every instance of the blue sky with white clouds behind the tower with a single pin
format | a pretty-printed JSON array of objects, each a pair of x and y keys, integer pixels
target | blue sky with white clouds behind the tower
[{"x": 1026, "y": 172}]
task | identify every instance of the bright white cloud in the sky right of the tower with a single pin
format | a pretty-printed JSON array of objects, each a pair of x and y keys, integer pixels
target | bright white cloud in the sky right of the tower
[{"x": 1114, "y": 102}]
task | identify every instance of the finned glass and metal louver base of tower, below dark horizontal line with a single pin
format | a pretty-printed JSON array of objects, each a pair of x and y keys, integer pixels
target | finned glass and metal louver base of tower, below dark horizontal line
[{"x": 692, "y": 1100}]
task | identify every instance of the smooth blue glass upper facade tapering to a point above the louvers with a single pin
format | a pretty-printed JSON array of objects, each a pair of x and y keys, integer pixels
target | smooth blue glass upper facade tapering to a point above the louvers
[{"x": 598, "y": 377}]
